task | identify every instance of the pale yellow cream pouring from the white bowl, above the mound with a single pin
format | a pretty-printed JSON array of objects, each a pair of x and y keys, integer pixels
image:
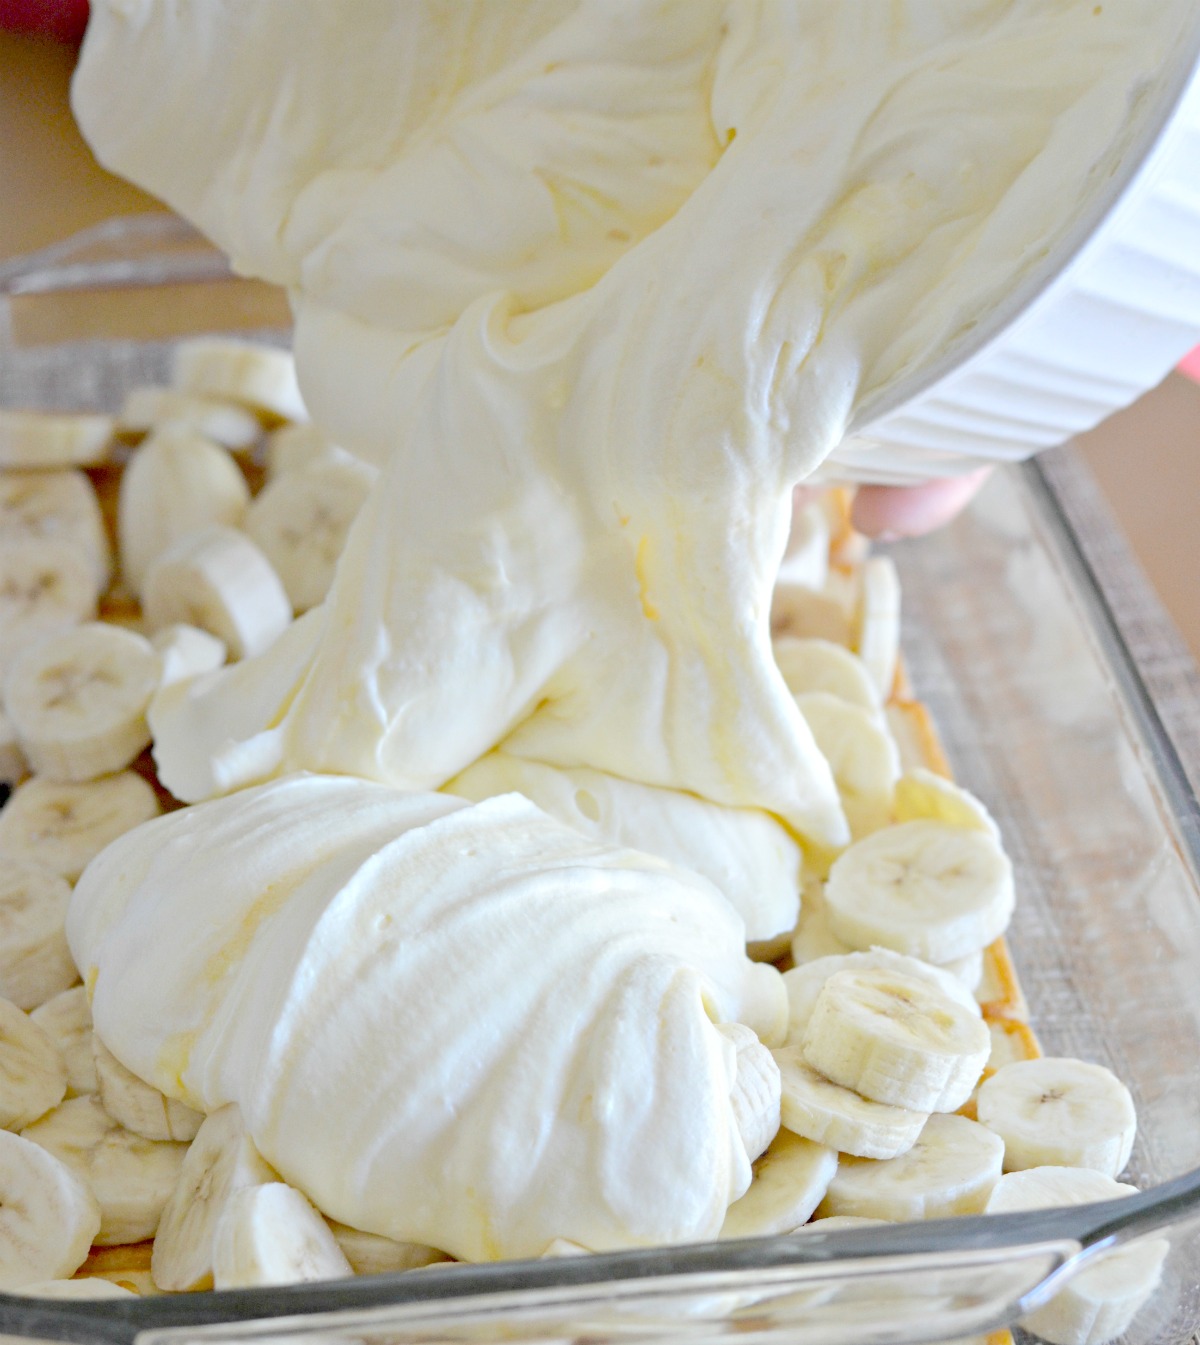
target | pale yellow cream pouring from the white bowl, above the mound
[{"x": 597, "y": 283}]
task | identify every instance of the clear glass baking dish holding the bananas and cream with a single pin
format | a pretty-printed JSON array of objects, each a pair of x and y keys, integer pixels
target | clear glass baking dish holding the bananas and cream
[{"x": 1043, "y": 714}]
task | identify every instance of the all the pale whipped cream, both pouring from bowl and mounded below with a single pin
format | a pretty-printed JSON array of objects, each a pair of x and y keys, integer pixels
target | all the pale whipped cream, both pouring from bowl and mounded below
[{"x": 595, "y": 284}]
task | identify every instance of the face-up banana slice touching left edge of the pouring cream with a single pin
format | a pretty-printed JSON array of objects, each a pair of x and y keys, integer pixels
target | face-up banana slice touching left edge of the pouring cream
[{"x": 301, "y": 523}]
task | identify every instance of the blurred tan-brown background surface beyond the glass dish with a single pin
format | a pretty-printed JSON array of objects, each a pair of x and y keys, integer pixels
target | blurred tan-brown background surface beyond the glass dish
[{"x": 1147, "y": 459}]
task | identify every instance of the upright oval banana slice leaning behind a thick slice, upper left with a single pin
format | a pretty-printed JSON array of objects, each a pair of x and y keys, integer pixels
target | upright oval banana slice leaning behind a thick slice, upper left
[{"x": 176, "y": 485}]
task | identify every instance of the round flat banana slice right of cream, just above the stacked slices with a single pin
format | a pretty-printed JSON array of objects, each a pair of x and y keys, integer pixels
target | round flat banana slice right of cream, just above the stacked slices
[{"x": 922, "y": 888}]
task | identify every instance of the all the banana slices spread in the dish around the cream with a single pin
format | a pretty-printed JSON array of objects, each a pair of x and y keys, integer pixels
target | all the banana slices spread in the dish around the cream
[{"x": 910, "y": 1085}]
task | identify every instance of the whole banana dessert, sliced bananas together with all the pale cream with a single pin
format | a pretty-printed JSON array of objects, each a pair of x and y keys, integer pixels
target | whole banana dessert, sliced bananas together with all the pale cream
[{"x": 556, "y": 874}]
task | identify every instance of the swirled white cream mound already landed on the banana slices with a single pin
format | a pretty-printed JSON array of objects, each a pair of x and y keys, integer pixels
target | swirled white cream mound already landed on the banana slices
[{"x": 352, "y": 966}]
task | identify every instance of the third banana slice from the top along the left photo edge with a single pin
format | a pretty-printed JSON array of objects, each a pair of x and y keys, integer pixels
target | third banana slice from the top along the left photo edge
[{"x": 46, "y": 584}]
